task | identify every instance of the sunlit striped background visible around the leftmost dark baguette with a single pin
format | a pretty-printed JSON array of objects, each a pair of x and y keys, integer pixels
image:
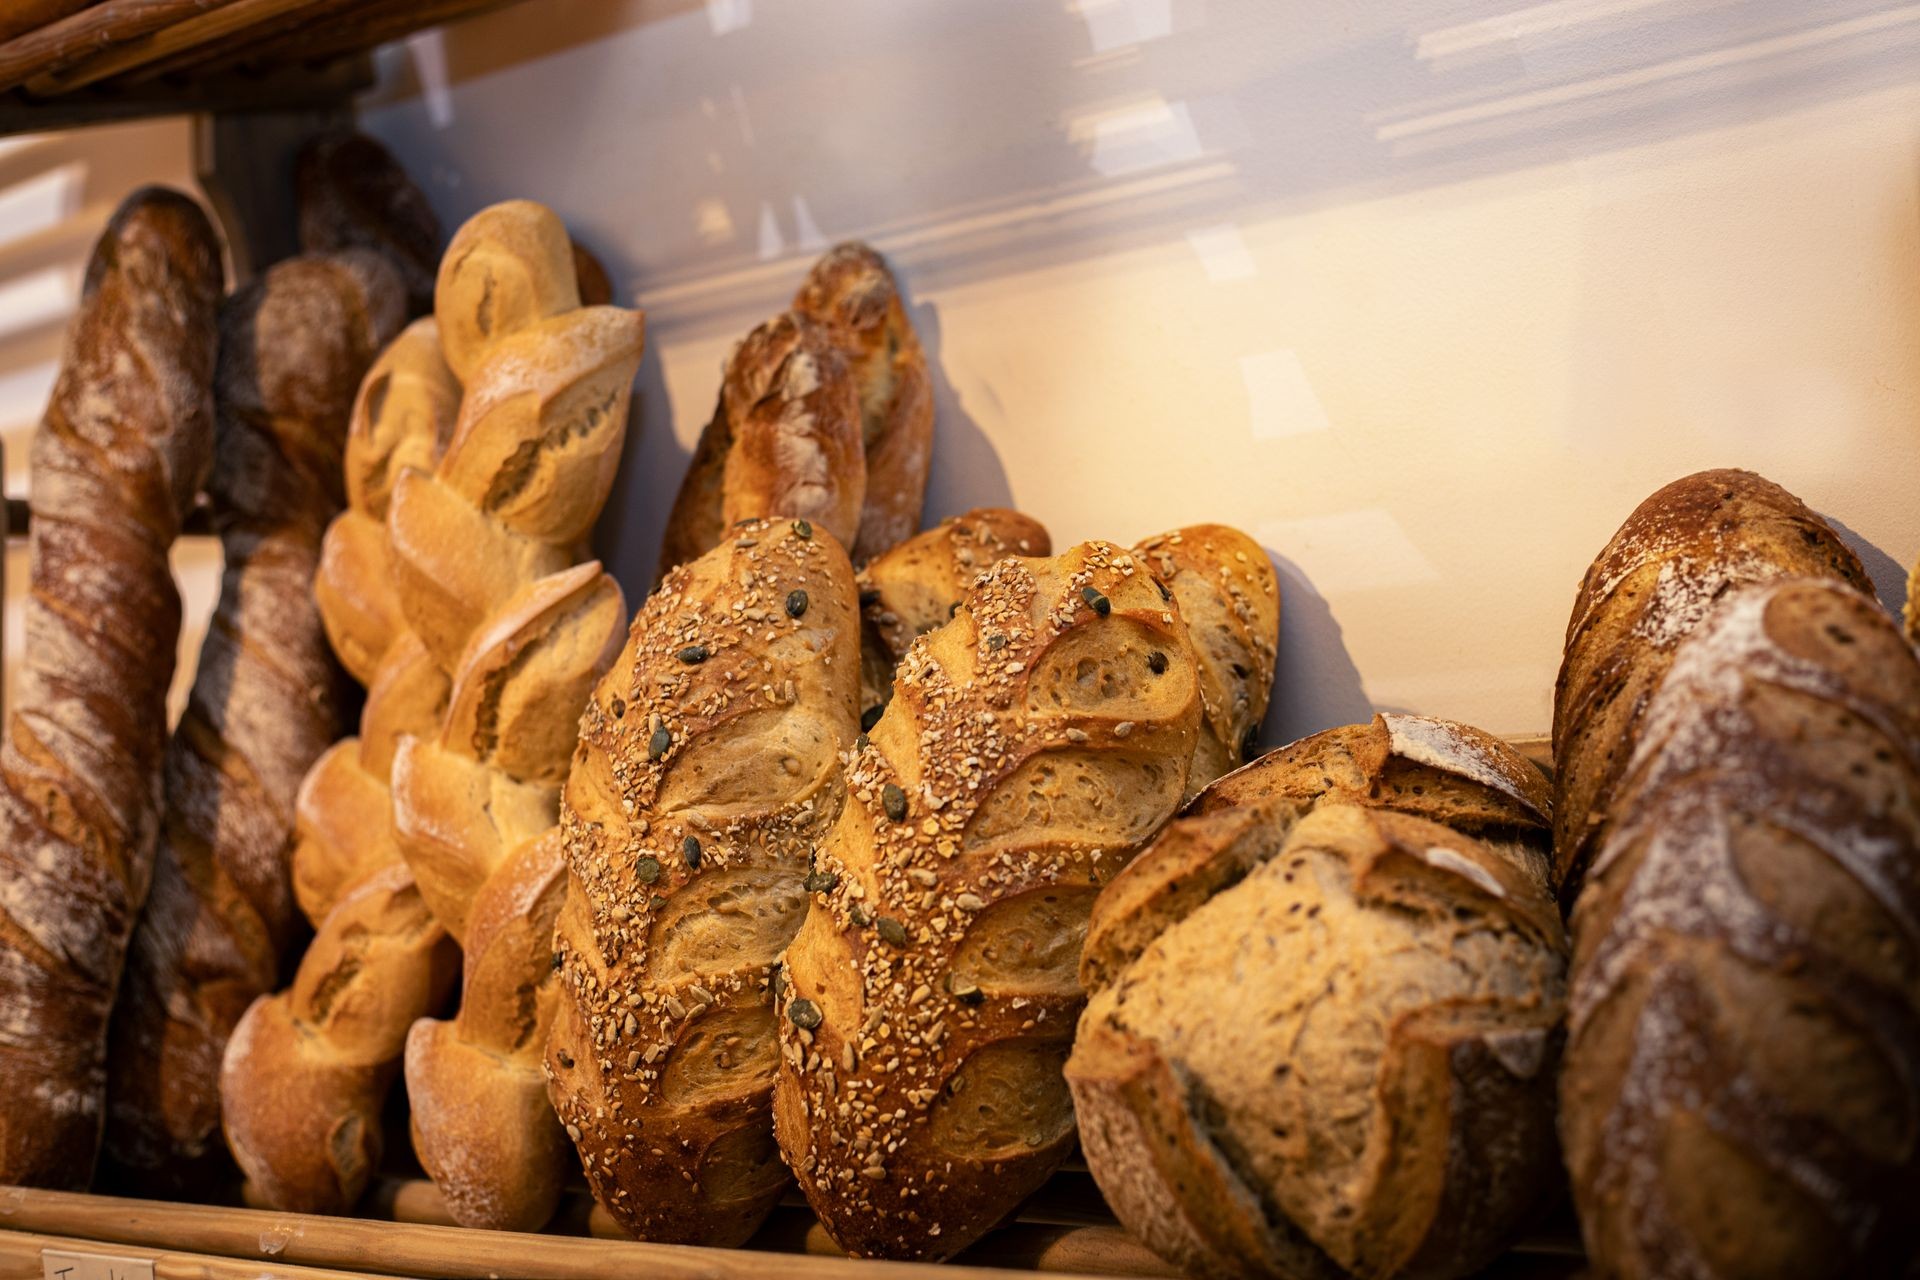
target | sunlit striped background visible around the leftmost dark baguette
[{"x": 57, "y": 195}]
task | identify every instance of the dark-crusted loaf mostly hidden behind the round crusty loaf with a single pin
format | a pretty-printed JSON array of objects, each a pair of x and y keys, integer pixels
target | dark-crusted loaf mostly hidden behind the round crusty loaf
[{"x": 1433, "y": 769}]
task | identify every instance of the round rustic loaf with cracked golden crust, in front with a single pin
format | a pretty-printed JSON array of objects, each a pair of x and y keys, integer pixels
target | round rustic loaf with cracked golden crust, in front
[{"x": 1414, "y": 980}]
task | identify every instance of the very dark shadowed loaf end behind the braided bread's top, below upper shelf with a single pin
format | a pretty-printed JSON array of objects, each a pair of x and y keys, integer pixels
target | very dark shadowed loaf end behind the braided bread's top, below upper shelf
[{"x": 352, "y": 195}]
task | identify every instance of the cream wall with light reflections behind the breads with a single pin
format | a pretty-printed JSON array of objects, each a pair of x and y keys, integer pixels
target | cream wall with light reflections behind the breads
[{"x": 1426, "y": 295}]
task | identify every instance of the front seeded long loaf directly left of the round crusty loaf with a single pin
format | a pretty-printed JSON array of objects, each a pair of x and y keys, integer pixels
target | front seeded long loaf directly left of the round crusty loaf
[{"x": 1030, "y": 746}]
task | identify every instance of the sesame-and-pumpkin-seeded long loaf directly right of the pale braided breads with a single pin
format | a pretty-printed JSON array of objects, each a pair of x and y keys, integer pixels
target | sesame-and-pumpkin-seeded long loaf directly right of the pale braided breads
[{"x": 708, "y": 772}]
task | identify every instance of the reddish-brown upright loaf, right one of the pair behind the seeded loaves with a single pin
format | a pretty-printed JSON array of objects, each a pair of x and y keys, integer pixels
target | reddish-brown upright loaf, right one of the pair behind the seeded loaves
[{"x": 855, "y": 296}]
